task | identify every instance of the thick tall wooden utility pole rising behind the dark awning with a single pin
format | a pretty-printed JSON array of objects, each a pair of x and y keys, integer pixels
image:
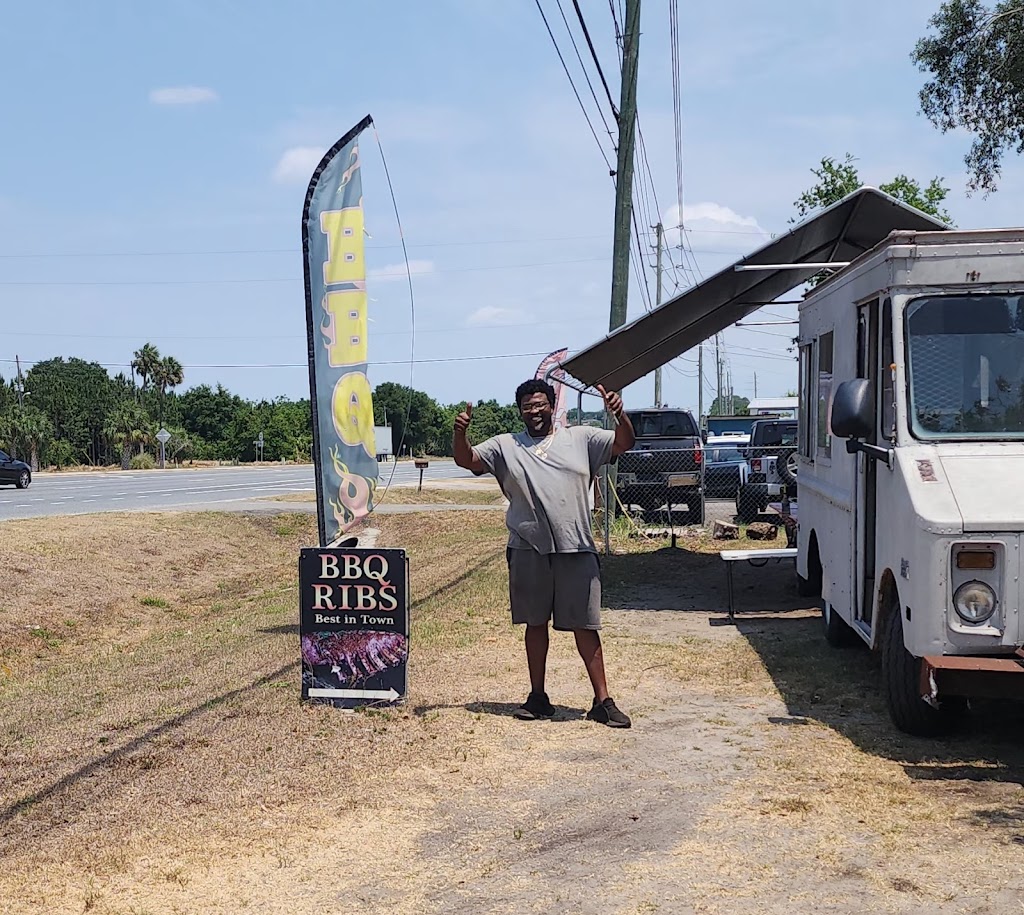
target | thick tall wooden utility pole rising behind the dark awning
[{"x": 624, "y": 168}]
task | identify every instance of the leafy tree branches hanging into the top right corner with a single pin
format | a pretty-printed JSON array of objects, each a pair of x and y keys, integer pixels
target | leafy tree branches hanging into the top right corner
[{"x": 975, "y": 61}]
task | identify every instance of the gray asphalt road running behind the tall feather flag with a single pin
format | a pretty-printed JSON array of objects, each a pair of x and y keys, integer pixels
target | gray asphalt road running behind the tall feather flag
[{"x": 83, "y": 494}]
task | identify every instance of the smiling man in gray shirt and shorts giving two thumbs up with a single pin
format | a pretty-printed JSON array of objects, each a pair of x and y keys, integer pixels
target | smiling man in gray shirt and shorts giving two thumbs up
[{"x": 554, "y": 574}]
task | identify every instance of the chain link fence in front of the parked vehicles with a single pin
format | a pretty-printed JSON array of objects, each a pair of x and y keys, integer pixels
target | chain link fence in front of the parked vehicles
[{"x": 721, "y": 488}]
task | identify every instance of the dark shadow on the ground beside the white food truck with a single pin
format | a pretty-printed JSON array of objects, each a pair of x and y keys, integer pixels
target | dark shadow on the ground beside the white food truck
[{"x": 840, "y": 688}]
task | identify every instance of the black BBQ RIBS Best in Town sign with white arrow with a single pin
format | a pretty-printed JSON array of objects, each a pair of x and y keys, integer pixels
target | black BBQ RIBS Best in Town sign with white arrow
[{"x": 354, "y": 626}]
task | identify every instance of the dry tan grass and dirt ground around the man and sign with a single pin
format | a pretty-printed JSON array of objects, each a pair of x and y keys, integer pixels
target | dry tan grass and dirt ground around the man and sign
[{"x": 156, "y": 759}]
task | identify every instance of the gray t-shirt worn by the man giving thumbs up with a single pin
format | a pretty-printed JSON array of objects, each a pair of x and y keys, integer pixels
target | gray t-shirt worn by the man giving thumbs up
[{"x": 547, "y": 484}]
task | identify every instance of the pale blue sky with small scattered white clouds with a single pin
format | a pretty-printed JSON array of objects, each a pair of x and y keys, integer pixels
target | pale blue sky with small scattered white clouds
[{"x": 156, "y": 159}]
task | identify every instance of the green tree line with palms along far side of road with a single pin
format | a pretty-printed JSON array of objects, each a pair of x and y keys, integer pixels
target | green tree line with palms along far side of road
[{"x": 69, "y": 412}]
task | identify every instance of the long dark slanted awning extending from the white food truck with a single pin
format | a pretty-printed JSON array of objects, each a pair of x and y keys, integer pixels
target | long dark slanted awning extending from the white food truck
[{"x": 841, "y": 233}]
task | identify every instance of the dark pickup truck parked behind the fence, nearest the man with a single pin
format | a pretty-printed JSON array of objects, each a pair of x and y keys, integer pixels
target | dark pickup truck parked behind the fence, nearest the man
[{"x": 665, "y": 467}]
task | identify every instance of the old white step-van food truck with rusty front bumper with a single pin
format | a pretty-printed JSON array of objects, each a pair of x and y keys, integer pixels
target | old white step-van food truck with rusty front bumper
[{"x": 912, "y": 465}]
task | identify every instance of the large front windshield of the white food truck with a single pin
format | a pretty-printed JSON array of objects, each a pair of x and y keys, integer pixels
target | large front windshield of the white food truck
[{"x": 966, "y": 367}]
